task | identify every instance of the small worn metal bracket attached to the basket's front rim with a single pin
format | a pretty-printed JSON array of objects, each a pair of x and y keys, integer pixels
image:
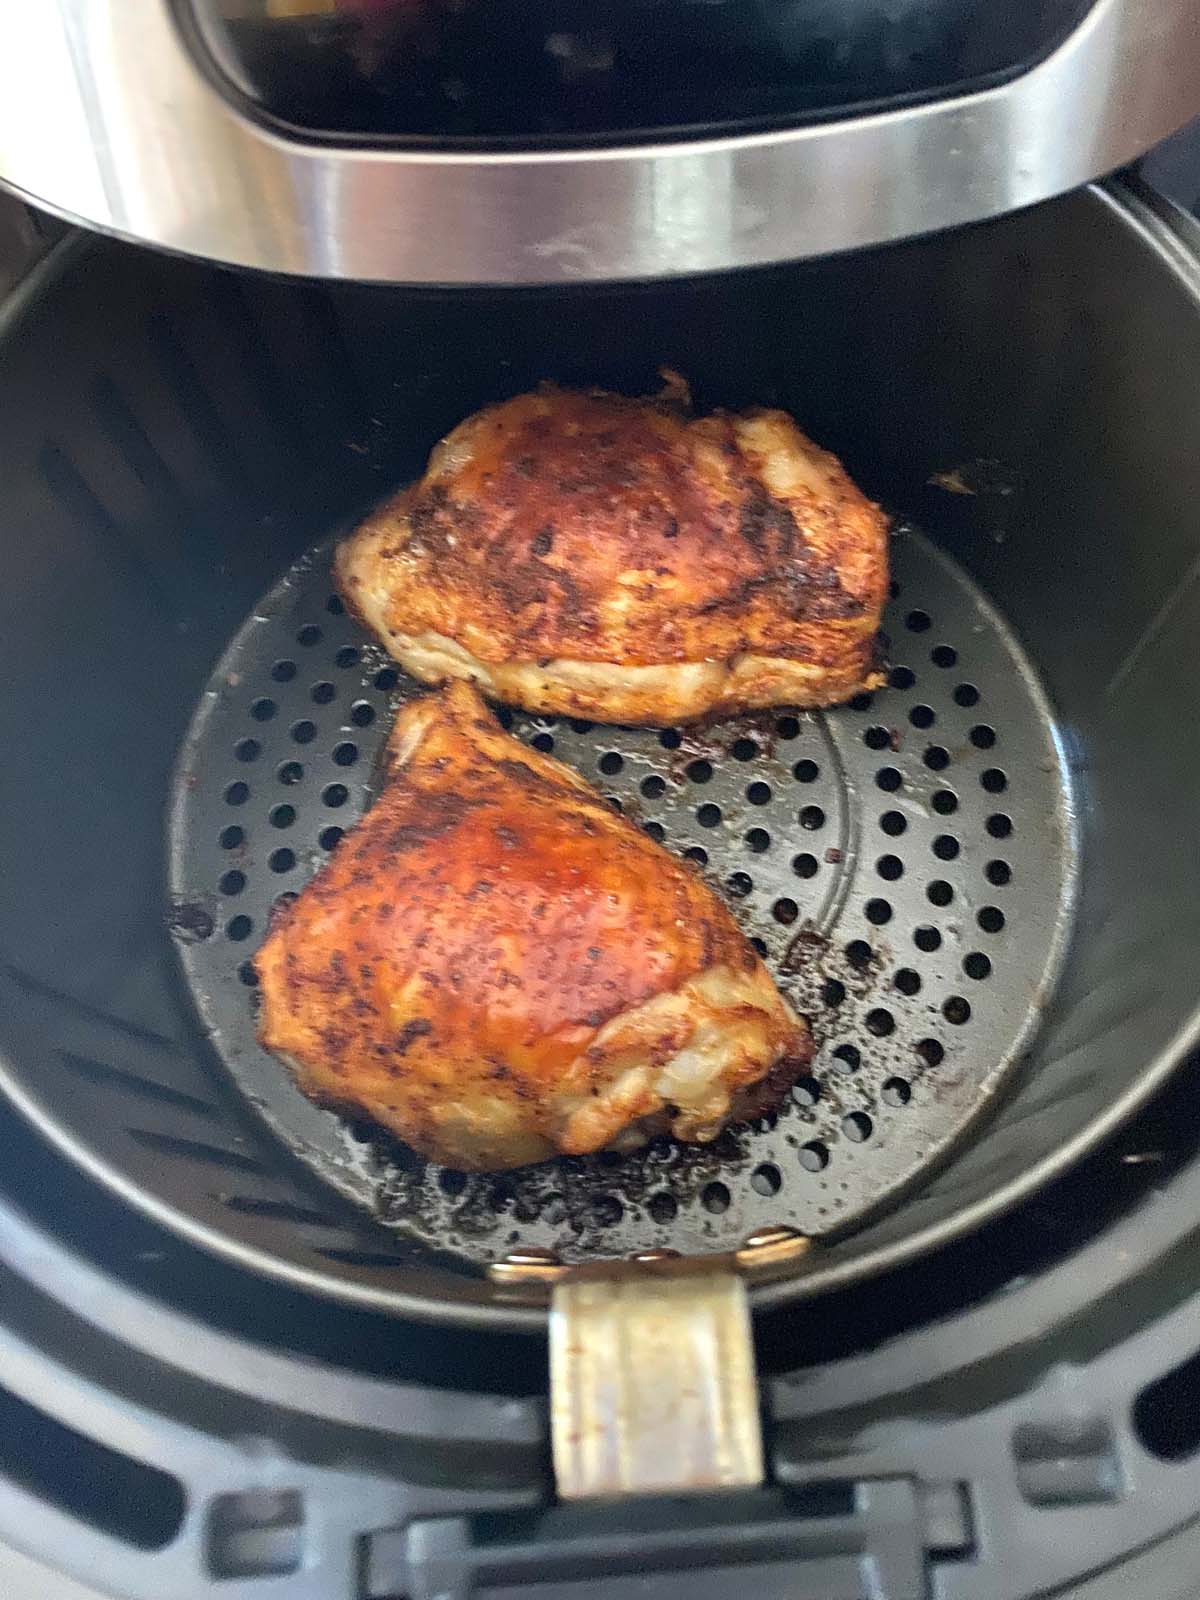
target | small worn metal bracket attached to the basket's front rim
[{"x": 652, "y": 1385}]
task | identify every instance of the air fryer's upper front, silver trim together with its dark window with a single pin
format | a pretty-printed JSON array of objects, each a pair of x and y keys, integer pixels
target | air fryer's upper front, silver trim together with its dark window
[{"x": 481, "y": 142}]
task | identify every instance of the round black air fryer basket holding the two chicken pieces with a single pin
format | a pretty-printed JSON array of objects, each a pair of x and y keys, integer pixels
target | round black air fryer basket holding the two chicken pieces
[{"x": 980, "y": 884}]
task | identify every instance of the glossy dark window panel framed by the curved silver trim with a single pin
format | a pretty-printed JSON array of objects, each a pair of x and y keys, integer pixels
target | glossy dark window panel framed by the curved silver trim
[{"x": 530, "y": 71}]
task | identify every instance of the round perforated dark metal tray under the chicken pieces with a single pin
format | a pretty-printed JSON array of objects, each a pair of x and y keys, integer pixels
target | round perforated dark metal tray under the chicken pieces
[{"x": 905, "y": 865}]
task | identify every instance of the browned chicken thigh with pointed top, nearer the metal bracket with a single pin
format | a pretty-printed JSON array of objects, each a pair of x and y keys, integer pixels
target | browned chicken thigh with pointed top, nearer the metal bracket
[{"x": 497, "y": 967}]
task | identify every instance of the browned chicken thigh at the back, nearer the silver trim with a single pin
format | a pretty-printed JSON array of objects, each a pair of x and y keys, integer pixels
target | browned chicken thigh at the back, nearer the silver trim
[{"x": 618, "y": 559}]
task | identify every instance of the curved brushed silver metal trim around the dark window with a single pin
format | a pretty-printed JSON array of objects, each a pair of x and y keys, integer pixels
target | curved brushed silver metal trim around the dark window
[{"x": 106, "y": 119}]
